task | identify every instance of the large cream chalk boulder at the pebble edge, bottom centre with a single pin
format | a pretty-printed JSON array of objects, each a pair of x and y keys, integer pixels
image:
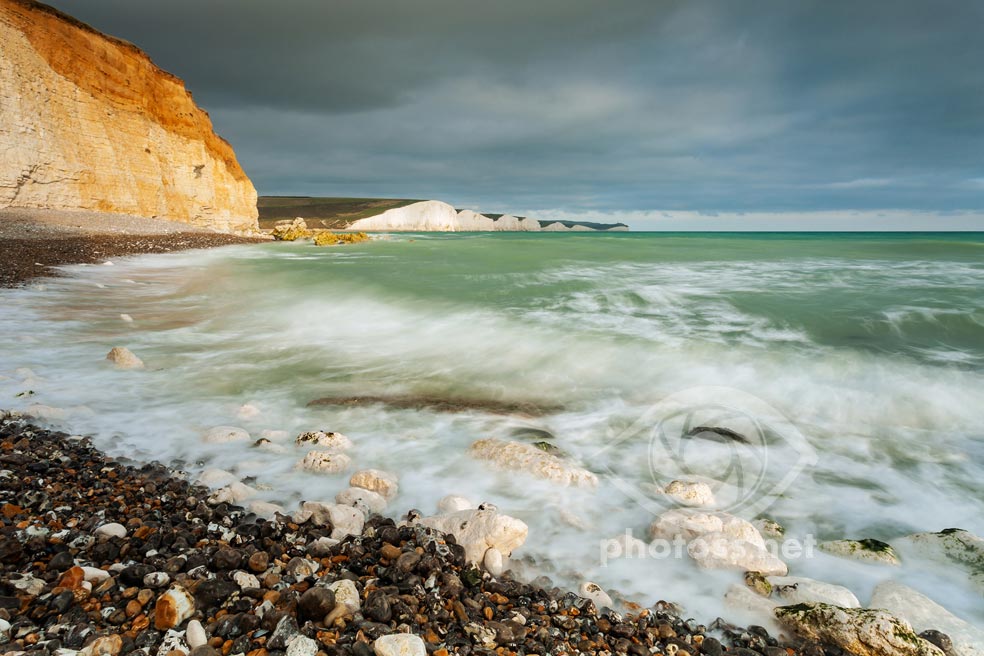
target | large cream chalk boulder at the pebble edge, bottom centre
[{"x": 477, "y": 531}]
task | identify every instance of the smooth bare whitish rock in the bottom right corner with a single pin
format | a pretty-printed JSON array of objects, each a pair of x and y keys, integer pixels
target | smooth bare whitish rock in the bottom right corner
[{"x": 923, "y": 613}]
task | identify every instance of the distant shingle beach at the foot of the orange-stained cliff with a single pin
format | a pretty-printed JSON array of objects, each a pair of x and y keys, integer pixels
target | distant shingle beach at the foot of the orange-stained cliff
[{"x": 36, "y": 241}]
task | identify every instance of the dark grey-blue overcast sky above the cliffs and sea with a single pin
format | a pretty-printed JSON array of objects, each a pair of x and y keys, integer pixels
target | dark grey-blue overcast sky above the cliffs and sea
[{"x": 714, "y": 114}]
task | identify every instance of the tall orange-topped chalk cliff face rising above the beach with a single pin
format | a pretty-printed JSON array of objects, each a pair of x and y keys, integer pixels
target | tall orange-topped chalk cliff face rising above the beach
[{"x": 89, "y": 122}]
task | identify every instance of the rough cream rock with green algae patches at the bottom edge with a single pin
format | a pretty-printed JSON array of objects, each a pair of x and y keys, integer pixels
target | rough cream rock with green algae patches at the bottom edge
[{"x": 860, "y": 631}]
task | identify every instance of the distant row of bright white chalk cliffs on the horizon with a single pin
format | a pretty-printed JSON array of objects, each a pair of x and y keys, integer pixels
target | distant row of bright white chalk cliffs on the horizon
[{"x": 435, "y": 216}]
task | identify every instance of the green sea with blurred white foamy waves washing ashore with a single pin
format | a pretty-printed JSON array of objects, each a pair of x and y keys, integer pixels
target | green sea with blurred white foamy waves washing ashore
[{"x": 848, "y": 370}]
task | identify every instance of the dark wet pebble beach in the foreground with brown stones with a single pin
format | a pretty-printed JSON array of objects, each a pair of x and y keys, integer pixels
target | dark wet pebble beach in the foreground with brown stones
[{"x": 102, "y": 574}]
